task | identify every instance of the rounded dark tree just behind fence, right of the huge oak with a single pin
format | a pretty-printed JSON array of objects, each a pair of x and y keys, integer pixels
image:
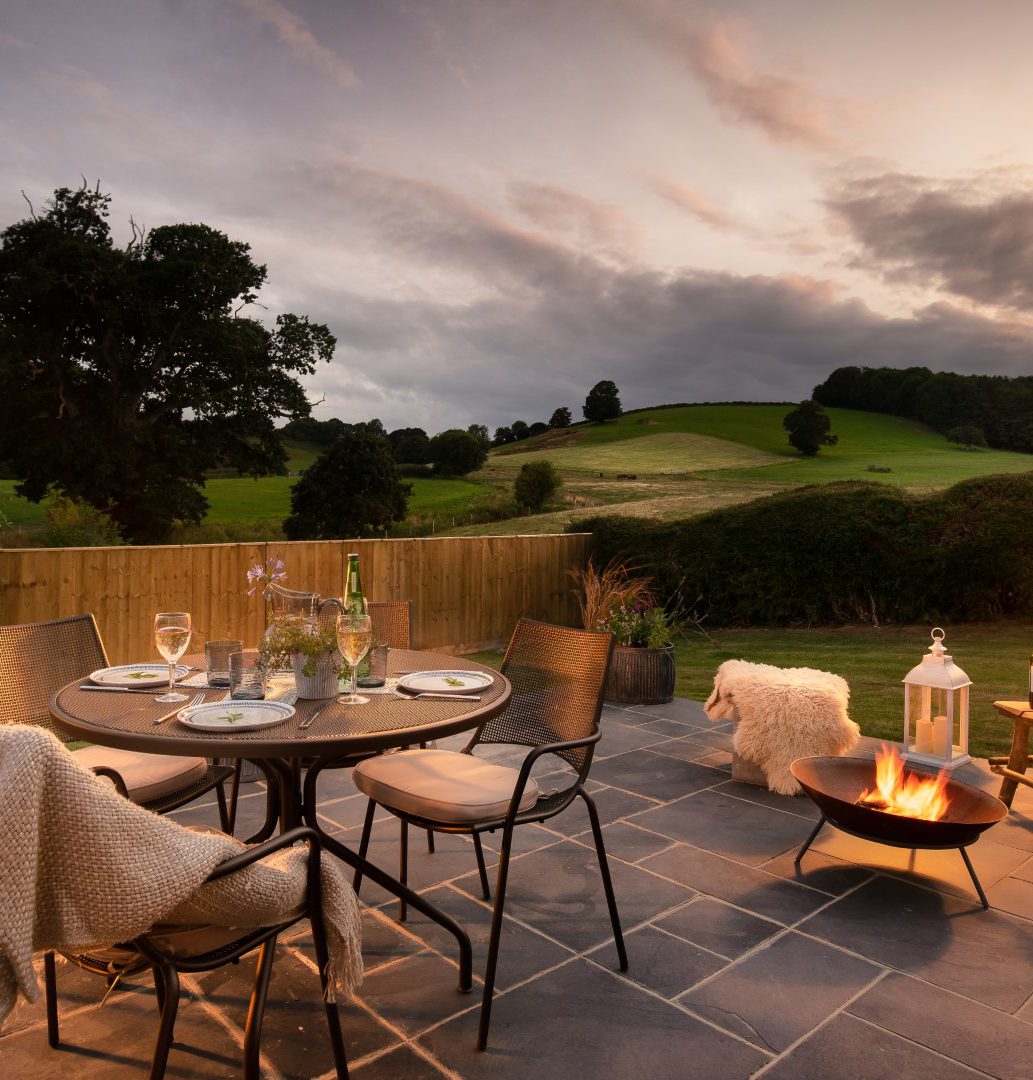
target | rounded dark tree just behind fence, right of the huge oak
[{"x": 352, "y": 490}]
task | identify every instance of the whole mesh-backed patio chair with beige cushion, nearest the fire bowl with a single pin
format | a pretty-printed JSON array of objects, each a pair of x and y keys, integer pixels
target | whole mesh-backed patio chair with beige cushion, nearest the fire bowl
[{"x": 558, "y": 676}]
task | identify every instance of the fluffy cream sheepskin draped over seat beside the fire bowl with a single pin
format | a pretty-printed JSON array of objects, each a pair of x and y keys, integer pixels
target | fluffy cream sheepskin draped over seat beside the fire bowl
[{"x": 783, "y": 713}]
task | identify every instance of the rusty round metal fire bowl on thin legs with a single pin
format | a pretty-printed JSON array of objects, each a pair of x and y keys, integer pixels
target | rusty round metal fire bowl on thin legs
[{"x": 836, "y": 784}]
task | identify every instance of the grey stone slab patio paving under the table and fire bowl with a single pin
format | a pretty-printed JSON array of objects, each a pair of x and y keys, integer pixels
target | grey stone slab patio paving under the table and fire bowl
[{"x": 864, "y": 965}]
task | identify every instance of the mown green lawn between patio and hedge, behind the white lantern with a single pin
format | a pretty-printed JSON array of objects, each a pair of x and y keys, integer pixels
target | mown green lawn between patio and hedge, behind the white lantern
[{"x": 996, "y": 658}]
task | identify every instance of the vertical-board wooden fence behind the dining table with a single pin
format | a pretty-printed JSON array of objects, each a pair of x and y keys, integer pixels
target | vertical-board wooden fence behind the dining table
[{"x": 467, "y": 592}]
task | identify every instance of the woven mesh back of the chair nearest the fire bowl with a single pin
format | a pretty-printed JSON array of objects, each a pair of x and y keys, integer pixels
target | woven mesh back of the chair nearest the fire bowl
[{"x": 558, "y": 676}]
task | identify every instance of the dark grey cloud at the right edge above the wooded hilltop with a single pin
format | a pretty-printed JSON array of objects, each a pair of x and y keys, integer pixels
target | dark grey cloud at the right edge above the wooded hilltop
[{"x": 972, "y": 237}]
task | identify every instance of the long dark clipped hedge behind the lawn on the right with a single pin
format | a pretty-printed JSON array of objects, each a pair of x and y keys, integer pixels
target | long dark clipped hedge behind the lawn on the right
[{"x": 844, "y": 552}]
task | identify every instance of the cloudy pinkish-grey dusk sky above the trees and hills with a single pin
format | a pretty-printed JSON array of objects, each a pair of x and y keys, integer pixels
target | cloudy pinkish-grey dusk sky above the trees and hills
[{"x": 497, "y": 204}]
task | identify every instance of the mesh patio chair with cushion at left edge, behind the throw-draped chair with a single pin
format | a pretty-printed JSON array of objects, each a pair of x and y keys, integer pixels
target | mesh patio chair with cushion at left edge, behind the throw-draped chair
[{"x": 38, "y": 659}]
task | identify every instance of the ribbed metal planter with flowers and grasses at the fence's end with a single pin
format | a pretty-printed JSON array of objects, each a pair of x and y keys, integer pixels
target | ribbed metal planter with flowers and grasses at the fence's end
[{"x": 642, "y": 671}]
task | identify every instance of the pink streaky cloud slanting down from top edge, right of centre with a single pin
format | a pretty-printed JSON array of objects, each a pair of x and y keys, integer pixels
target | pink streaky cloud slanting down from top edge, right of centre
[{"x": 777, "y": 103}]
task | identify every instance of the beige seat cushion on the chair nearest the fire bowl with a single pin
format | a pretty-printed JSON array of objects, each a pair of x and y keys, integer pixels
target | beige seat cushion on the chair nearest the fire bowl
[{"x": 442, "y": 786}]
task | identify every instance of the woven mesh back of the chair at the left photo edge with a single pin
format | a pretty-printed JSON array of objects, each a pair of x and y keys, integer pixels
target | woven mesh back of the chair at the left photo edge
[{"x": 39, "y": 658}]
